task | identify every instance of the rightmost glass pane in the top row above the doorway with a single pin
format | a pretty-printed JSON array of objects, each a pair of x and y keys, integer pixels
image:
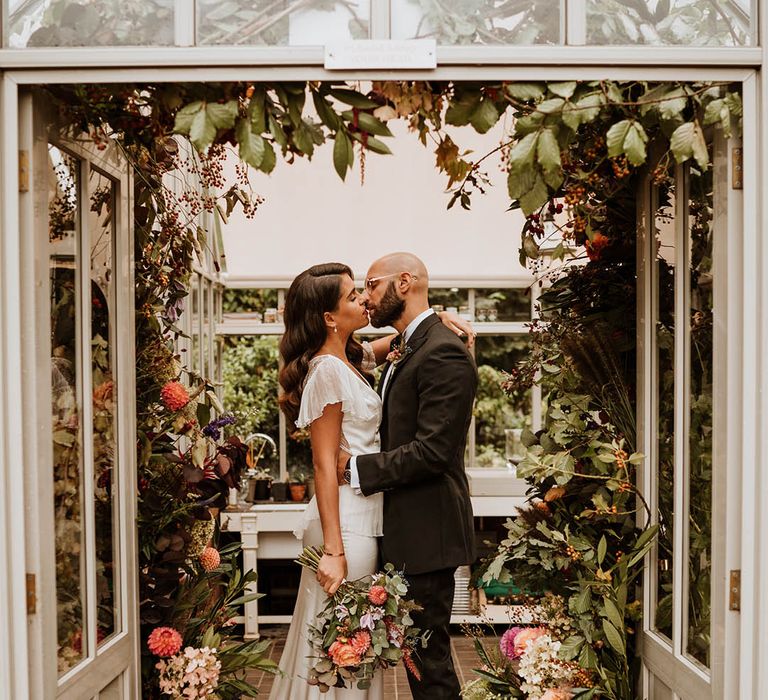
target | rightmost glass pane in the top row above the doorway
[{"x": 683, "y": 22}]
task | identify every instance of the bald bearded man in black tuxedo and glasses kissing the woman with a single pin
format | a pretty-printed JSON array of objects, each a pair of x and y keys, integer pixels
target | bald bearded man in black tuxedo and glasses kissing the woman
[{"x": 427, "y": 388}]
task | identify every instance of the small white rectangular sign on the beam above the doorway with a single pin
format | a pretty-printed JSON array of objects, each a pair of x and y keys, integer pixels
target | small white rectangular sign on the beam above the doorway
[{"x": 371, "y": 53}]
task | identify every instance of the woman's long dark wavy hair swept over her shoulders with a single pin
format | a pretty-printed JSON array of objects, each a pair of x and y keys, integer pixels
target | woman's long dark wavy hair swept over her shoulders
[{"x": 314, "y": 292}]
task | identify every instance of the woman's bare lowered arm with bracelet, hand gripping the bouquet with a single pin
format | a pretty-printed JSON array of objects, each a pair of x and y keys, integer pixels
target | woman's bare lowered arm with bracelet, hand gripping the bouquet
[{"x": 325, "y": 434}]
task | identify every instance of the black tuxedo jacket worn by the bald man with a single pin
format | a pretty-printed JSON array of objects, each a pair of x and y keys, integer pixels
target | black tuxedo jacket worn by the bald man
[{"x": 427, "y": 409}]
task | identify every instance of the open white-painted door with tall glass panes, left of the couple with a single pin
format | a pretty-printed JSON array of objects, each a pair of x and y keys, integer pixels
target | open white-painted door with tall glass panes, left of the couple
[{"x": 81, "y": 535}]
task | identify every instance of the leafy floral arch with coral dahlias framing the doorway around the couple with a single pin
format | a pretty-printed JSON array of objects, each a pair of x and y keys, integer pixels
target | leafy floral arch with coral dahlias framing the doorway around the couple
[{"x": 574, "y": 156}]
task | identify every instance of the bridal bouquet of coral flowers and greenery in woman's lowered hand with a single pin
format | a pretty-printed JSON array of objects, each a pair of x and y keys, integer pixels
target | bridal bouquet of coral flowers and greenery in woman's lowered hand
[{"x": 365, "y": 626}]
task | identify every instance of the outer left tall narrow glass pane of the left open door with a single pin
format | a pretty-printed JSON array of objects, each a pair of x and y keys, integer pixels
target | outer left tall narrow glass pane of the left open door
[{"x": 66, "y": 406}]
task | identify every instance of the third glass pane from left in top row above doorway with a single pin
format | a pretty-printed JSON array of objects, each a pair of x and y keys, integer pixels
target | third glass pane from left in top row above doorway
[{"x": 477, "y": 22}]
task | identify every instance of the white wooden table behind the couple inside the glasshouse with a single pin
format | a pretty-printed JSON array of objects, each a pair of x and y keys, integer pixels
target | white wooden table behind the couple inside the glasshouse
[{"x": 266, "y": 532}]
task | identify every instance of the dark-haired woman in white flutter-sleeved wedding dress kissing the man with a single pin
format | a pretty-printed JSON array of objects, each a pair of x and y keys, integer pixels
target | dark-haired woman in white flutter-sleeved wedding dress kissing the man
[{"x": 327, "y": 386}]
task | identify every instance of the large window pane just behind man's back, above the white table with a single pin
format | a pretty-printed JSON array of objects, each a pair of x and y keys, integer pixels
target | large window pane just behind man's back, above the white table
[{"x": 494, "y": 410}]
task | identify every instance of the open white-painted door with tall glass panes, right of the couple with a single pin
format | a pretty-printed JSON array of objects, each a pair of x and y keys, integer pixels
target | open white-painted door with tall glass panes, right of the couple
[{"x": 689, "y": 410}]
